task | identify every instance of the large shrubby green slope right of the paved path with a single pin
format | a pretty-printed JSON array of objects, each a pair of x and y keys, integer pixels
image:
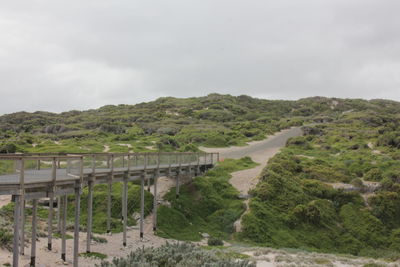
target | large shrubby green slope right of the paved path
[{"x": 295, "y": 207}]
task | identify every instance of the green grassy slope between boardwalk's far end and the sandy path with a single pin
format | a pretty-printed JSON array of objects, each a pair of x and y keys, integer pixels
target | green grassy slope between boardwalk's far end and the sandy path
[{"x": 208, "y": 205}]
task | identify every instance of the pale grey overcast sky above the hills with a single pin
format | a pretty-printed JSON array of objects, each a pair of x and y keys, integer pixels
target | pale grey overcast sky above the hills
[{"x": 63, "y": 55}]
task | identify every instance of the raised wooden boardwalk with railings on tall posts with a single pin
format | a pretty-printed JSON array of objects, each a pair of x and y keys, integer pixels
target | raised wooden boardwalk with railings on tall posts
[{"x": 55, "y": 176}]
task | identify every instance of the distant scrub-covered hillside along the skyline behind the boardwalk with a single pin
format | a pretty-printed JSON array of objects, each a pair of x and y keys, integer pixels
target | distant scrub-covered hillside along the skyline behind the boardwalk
[{"x": 170, "y": 123}]
